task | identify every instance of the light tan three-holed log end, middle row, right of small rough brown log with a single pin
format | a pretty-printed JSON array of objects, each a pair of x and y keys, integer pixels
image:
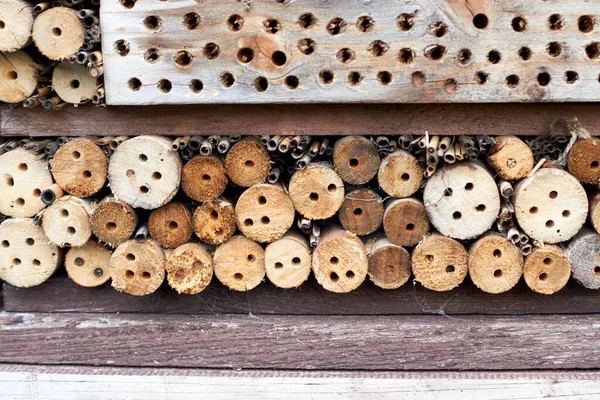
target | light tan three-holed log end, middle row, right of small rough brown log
[{"x": 264, "y": 213}]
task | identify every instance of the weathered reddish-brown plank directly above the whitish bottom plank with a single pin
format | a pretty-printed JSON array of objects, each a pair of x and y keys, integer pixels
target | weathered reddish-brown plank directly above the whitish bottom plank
[{"x": 302, "y": 342}]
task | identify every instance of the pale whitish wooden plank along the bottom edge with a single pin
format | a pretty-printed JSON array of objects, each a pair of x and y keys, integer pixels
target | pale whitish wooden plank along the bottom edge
[{"x": 56, "y": 382}]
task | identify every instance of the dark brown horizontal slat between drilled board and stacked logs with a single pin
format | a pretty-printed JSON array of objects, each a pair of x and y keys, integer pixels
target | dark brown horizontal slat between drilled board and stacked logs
[{"x": 367, "y": 119}]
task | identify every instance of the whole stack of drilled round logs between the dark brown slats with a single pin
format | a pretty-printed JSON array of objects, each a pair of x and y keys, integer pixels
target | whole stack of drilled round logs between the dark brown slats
[{"x": 139, "y": 211}]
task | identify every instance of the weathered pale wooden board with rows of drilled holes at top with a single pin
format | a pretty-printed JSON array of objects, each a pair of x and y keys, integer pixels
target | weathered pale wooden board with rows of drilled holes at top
[{"x": 268, "y": 51}]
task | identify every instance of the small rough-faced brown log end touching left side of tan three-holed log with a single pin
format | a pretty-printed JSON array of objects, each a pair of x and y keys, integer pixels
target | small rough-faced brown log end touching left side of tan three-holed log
[{"x": 214, "y": 221}]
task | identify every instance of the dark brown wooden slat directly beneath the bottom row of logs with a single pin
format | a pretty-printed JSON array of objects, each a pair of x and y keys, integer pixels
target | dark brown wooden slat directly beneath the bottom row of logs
[{"x": 62, "y": 295}]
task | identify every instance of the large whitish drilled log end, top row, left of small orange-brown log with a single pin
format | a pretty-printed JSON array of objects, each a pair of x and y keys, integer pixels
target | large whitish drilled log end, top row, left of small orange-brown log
[{"x": 145, "y": 172}]
